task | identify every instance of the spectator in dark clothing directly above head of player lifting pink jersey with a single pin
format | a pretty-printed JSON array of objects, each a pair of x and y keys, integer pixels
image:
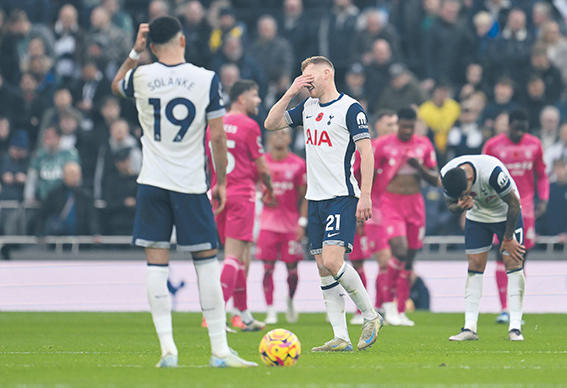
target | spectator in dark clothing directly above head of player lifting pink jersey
[{"x": 403, "y": 90}]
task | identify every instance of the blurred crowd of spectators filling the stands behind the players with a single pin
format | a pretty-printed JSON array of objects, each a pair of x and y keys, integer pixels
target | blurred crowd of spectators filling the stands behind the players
[{"x": 71, "y": 149}]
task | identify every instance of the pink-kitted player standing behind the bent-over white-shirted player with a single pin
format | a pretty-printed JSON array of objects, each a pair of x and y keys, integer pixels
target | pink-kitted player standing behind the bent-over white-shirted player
[{"x": 522, "y": 154}]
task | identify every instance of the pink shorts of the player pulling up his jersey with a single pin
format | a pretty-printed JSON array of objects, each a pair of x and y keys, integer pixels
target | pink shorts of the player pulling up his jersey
[{"x": 404, "y": 215}]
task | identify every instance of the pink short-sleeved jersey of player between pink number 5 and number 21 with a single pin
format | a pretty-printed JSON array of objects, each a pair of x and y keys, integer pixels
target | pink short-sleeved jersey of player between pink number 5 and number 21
[{"x": 288, "y": 175}]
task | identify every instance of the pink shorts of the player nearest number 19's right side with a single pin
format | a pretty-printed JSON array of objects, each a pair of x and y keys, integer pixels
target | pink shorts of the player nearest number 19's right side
[{"x": 237, "y": 219}]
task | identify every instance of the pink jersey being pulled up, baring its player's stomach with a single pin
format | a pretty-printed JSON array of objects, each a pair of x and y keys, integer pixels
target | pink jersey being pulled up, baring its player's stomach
[{"x": 391, "y": 158}]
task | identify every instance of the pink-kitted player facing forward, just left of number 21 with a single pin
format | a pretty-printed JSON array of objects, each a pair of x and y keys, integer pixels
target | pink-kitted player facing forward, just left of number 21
[{"x": 282, "y": 225}]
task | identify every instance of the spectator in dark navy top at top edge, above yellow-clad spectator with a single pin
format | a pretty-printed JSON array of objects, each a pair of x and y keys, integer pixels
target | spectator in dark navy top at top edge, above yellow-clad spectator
[{"x": 447, "y": 45}]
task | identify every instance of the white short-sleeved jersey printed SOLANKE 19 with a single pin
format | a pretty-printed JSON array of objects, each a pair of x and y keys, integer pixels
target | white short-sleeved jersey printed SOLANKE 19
[{"x": 174, "y": 104}]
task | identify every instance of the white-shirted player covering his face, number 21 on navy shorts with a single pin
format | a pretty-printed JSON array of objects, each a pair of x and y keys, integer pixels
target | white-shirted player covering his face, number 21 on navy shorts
[{"x": 335, "y": 125}]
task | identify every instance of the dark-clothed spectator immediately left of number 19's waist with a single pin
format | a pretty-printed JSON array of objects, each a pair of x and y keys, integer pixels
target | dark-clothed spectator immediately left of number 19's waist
[{"x": 119, "y": 195}]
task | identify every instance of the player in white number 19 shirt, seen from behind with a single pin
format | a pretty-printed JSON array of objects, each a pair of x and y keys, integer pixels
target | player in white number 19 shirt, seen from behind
[{"x": 175, "y": 102}]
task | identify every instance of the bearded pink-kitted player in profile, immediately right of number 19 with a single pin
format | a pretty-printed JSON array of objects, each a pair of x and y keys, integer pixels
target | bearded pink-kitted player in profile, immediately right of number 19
[{"x": 236, "y": 222}]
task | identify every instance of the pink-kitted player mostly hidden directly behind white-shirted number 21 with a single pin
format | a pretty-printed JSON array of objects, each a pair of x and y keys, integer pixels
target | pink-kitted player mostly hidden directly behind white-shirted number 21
[{"x": 370, "y": 238}]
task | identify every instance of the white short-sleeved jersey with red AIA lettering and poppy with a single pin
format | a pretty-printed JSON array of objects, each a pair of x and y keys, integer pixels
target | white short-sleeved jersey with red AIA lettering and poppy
[{"x": 331, "y": 131}]
